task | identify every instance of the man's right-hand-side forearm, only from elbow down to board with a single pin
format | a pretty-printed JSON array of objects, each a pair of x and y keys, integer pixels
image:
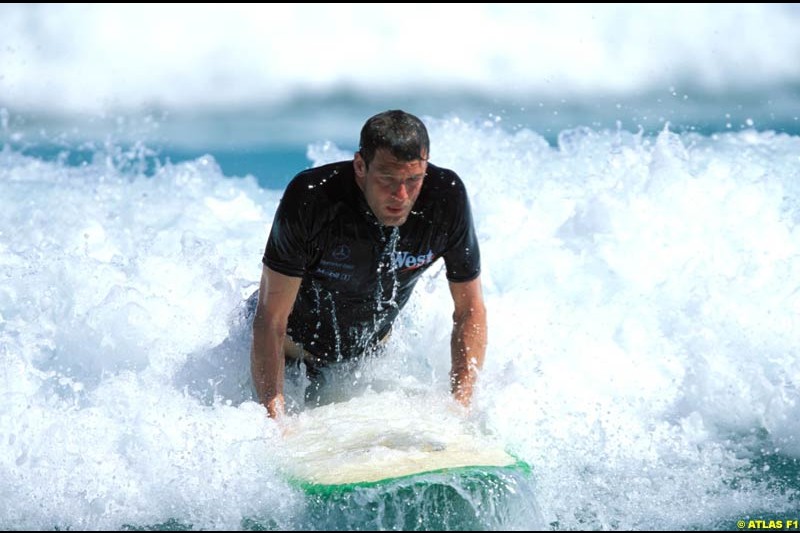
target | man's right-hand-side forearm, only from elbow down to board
[{"x": 467, "y": 350}]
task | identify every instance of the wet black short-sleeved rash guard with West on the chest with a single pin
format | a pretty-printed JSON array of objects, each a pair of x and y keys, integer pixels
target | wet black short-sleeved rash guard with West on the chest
[{"x": 357, "y": 273}]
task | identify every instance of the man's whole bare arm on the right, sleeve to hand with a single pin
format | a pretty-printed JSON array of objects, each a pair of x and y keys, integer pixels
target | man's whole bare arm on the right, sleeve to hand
[{"x": 468, "y": 342}]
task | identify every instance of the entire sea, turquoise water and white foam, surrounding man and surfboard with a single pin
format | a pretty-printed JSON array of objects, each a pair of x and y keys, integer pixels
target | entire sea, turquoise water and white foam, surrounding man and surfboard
[{"x": 634, "y": 174}]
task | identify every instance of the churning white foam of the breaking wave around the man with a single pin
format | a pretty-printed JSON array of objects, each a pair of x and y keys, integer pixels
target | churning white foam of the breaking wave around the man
[{"x": 643, "y": 304}]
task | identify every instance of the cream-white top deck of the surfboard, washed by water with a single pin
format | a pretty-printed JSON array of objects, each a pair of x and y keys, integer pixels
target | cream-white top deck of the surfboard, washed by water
[{"x": 383, "y": 436}]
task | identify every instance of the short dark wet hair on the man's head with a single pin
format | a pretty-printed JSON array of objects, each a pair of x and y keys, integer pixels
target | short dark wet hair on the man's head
[{"x": 403, "y": 134}]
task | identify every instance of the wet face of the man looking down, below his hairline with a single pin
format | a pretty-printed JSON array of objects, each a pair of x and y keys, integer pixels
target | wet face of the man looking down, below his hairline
[{"x": 390, "y": 186}]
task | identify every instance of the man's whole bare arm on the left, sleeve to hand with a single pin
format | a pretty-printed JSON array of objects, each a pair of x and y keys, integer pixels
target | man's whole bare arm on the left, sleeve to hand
[{"x": 276, "y": 297}]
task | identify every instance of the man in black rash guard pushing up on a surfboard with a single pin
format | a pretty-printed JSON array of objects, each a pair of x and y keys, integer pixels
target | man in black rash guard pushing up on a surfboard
[{"x": 349, "y": 242}]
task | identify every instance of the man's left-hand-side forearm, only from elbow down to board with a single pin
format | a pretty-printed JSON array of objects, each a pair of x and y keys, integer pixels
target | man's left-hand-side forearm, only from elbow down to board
[{"x": 267, "y": 364}]
